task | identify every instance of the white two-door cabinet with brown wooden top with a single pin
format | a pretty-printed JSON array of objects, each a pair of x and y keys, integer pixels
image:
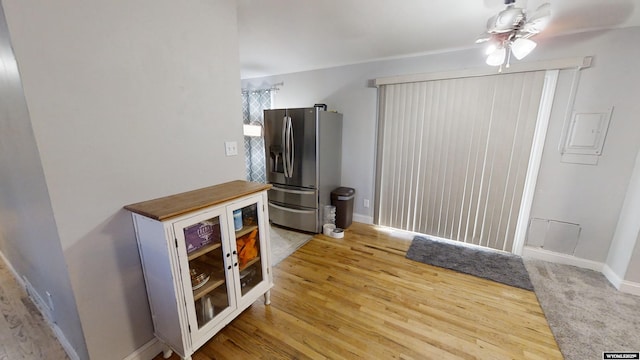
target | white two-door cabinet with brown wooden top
[{"x": 206, "y": 258}]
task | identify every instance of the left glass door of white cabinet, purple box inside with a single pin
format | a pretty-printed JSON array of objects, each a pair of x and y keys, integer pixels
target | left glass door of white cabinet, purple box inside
[{"x": 206, "y": 250}]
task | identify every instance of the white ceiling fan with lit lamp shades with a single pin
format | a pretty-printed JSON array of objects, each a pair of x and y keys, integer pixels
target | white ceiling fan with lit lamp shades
[{"x": 508, "y": 32}]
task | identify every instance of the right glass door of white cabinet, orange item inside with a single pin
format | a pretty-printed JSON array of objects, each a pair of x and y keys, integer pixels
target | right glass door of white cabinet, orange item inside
[{"x": 249, "y": 240}]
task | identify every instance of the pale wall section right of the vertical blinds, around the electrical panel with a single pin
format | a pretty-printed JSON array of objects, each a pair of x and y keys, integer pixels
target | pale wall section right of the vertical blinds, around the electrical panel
[{"x": 592, "y": 196}]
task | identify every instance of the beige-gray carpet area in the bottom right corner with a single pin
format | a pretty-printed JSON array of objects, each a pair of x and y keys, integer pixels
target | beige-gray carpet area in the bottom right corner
[{"x": 586, "y": 314}]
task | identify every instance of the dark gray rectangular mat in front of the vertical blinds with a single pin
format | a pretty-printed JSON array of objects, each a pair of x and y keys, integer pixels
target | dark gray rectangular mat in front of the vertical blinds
[{"x": 496, "y": 266}]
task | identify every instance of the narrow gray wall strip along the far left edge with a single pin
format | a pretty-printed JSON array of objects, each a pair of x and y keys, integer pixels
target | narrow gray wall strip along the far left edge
[{"x": 28, "y": 234}]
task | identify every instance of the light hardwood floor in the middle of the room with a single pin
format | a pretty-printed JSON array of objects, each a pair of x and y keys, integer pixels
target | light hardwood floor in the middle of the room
[{"x": 360, "y": 298}]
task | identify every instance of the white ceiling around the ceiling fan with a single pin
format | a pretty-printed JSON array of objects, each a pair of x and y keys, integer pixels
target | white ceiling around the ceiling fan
[{"x": 284, "y": 36}]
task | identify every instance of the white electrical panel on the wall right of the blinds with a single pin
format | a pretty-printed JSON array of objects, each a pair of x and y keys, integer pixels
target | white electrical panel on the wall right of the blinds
[{"x": 584, "y": 137}]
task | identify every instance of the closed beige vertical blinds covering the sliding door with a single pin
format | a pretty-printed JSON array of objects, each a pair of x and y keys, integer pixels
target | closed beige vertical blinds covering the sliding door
[{"x": 453, "y": 155}]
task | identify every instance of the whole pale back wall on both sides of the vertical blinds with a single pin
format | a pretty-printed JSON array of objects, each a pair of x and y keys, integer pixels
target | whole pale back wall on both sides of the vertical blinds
[{"x": 565, "y": 192}]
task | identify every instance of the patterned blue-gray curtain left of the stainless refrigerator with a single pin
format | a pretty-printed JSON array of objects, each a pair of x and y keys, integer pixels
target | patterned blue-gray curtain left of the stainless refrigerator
[{"x": 253, "y": 103}]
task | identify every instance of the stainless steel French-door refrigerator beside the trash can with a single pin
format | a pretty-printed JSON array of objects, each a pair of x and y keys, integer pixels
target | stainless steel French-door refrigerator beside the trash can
[{"x": 304, "y": 150}]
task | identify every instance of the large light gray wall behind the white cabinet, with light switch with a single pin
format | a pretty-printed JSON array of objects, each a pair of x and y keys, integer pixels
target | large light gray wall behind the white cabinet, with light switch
[{"x": 128, "y": 101}]
